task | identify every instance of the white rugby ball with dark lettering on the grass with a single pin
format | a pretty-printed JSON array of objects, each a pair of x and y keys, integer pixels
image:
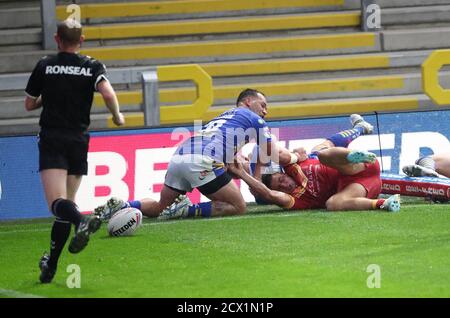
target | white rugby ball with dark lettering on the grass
[{"x": 125, "y": 222}]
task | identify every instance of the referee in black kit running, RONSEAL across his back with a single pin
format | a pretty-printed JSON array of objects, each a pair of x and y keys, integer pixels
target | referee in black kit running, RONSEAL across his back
[{"x": 63, "y": 85}]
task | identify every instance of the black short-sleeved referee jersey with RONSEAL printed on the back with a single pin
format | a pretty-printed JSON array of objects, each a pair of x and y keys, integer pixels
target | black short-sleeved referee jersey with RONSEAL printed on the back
[{"x": 67, "y": 82}]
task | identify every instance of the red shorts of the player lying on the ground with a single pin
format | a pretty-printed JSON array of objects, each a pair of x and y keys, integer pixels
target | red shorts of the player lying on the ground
[{"x": 370, "y": 179}]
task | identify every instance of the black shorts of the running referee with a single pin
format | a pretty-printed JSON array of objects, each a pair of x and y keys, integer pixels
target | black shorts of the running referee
[{"x": 63, "y": 150}]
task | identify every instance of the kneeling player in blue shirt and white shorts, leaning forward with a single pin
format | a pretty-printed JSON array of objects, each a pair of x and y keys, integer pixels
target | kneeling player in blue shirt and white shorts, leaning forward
[{"x": 199, "y": 162}]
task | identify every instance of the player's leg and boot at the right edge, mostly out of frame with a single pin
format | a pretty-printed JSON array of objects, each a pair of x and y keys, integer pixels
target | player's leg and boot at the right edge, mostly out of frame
[{"x": 430, "y": 166}]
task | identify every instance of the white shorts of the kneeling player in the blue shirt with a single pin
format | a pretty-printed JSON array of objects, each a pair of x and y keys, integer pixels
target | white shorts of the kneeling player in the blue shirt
[{"x": 189, "y": 171}]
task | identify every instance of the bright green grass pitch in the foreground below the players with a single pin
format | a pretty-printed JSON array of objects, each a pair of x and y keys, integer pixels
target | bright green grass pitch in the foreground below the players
[{"x": 266, "y": 253}]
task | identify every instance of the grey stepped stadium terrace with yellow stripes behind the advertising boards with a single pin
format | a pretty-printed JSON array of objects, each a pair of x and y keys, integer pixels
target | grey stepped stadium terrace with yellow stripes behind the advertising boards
[{"x": 328, "y": 29}]
